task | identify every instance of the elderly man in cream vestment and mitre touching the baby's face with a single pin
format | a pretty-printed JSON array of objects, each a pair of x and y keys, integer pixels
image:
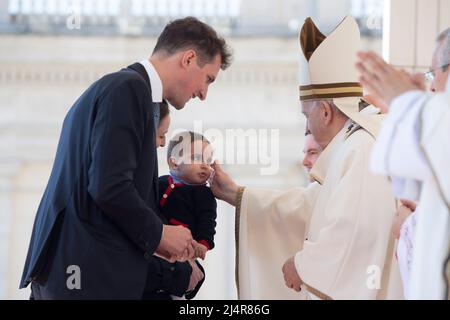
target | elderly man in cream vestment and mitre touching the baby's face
[{"x": 332, "y": 239}]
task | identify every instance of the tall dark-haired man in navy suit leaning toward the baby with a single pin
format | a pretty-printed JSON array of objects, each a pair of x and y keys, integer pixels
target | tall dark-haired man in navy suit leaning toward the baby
[{"x": 97, "y": 227}]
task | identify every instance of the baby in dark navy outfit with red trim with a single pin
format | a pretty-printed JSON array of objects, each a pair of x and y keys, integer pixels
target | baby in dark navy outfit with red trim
[{"x": 185, "y": 198}]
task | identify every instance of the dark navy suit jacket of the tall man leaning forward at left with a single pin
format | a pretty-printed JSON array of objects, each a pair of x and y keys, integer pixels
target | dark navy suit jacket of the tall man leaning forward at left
[{"x": 99, "y": 211}]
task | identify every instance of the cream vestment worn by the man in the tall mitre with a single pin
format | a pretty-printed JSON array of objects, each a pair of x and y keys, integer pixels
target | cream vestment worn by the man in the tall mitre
[{"x": 338, "y": 229}]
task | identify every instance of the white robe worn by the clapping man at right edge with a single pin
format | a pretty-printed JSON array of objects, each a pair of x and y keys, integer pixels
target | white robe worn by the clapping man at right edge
[{"x": 414, "y": 149}]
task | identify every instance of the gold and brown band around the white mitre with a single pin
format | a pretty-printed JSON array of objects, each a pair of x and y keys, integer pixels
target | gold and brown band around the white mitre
[{"x": 330, "y": 90}]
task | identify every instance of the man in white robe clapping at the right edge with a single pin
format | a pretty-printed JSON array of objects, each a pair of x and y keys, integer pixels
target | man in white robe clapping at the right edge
[{"x": 417, "y": 130}]
